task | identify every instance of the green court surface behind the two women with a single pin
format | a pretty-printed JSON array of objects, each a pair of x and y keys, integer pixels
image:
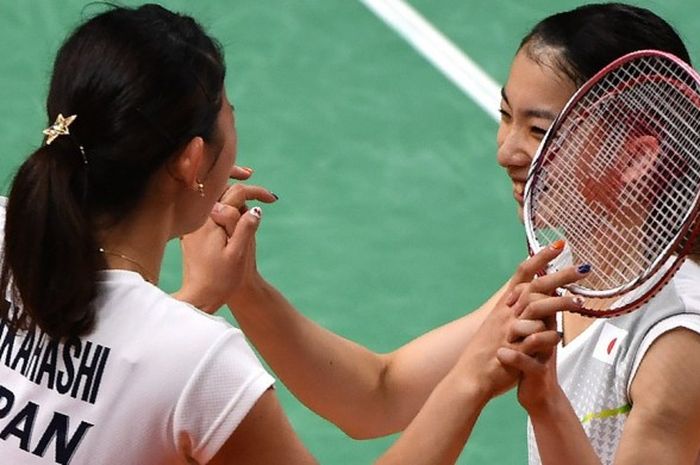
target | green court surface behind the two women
[{"x": 393, "y": 215}]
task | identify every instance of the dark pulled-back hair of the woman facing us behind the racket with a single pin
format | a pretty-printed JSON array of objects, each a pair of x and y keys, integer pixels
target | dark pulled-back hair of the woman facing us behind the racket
[{"x": 582, "y": 41}]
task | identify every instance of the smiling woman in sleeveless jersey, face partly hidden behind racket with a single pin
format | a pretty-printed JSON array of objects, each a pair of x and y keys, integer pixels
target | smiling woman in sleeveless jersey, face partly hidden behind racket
[{"x": 633, "y": 371}]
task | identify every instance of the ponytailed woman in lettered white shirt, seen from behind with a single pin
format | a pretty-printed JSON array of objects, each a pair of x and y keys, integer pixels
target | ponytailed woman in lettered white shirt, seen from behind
[{"x": 98, "y": 366}]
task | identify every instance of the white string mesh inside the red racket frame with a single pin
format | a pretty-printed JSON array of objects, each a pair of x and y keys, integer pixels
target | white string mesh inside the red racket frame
[{"x": 619, "y": 225}]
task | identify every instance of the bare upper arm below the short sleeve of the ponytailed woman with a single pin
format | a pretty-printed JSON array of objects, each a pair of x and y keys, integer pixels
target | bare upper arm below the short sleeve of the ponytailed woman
[{"x": 264, "y": 437}]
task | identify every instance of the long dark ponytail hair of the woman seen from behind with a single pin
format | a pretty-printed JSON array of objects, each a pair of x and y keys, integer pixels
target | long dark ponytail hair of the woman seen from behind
[{"x": 143, "y": 82}]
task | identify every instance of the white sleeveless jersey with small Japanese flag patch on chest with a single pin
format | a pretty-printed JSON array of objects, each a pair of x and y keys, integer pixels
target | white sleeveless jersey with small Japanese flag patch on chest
[{"x": 596, "y": 369}]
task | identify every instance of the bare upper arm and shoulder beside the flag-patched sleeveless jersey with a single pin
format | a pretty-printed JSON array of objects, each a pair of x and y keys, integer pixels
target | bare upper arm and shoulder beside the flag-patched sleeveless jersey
[{"x": 664, "y": 423}]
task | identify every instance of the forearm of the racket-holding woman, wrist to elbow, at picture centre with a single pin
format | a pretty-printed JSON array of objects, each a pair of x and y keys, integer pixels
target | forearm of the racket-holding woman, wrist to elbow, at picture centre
[{"x": 333, "y": 376}]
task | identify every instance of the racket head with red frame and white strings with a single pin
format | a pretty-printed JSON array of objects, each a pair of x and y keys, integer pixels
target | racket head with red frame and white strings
[{"x": 617, "y": 176}]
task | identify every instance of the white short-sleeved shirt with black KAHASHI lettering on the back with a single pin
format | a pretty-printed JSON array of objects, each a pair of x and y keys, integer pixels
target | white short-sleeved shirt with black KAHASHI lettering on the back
[{"x": 156, "y": 382}]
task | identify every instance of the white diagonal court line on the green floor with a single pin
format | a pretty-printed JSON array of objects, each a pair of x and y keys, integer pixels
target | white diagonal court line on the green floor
[{"x": 442, "y": 53}]
